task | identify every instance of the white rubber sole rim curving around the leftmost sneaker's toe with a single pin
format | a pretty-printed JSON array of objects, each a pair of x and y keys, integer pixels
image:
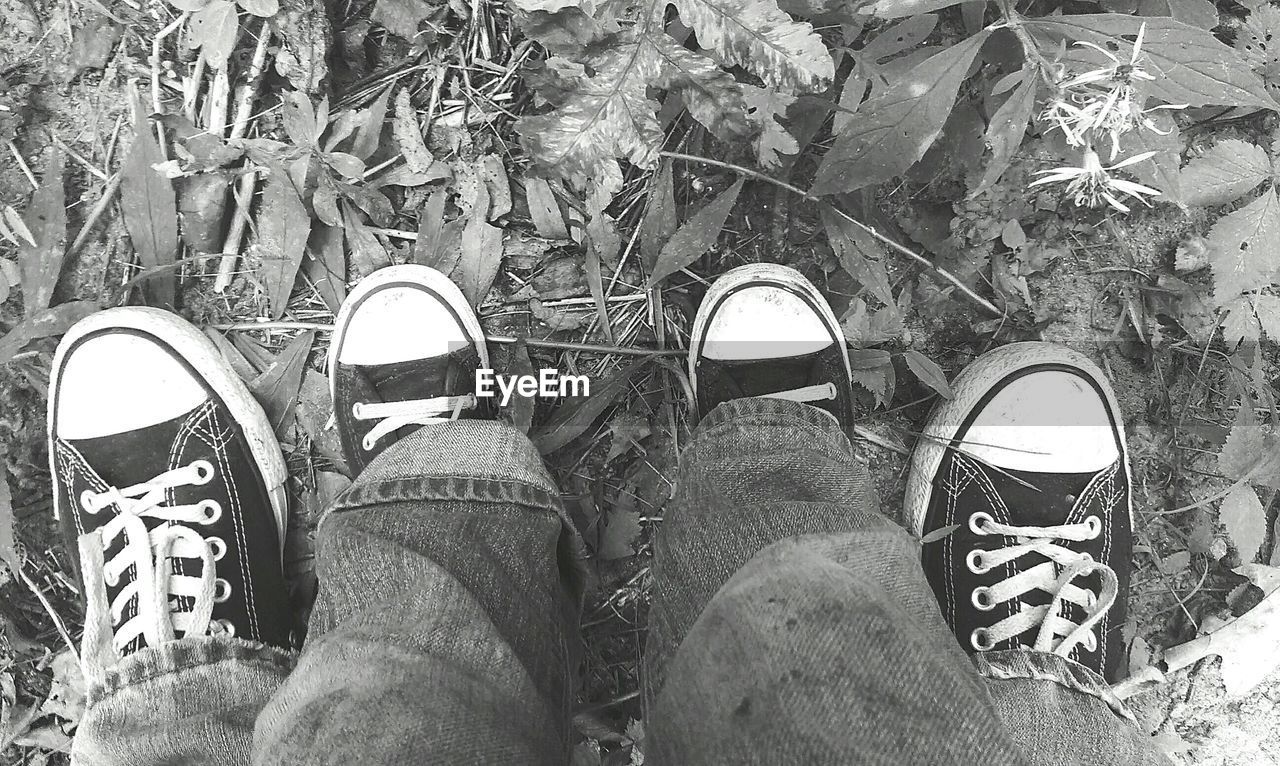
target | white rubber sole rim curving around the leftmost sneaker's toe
[{"x": 200, "y": 353}]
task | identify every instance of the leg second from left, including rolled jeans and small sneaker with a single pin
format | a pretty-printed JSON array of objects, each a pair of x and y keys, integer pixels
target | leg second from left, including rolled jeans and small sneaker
[{"x": 449, "y": 596}]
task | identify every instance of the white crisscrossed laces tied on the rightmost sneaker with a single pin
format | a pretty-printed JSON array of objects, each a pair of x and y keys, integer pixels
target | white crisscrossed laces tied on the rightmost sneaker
[{"x": 1054, "y": 577}]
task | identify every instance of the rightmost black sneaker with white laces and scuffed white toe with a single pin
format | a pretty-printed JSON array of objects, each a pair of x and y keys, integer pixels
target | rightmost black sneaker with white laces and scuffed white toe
[{"x": 1028, "y": 464}]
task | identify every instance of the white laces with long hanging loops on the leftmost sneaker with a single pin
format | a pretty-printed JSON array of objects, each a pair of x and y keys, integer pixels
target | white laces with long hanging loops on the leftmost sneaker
[{"x": 156, "y": 589}]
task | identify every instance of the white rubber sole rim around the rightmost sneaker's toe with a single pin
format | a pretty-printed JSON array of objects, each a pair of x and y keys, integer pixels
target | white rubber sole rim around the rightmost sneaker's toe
[{"x": 971, "y": 386}]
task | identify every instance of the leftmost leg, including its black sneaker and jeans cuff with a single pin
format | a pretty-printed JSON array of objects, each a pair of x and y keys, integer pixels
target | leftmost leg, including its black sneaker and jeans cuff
[{"x": 170, "y": 487}]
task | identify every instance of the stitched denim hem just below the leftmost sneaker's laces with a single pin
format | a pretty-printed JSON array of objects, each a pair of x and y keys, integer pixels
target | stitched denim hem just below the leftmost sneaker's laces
[{"x": 176, "y": 656}]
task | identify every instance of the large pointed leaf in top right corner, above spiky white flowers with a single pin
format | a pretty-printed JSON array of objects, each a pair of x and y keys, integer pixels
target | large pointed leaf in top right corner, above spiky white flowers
[{"x": 1191, "y": 66}]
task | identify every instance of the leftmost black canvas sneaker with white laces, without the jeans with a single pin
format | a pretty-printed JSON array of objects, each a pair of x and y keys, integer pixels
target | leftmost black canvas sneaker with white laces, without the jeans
[{"x": 170, "y": 484}]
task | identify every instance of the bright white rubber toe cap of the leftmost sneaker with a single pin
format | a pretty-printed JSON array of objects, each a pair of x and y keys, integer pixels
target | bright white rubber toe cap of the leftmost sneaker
[{"x": 121, "y": 382}]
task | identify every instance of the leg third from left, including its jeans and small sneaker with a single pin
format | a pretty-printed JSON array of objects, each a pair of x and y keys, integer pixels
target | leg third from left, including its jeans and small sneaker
[{"x": 826, "y": 646}]
